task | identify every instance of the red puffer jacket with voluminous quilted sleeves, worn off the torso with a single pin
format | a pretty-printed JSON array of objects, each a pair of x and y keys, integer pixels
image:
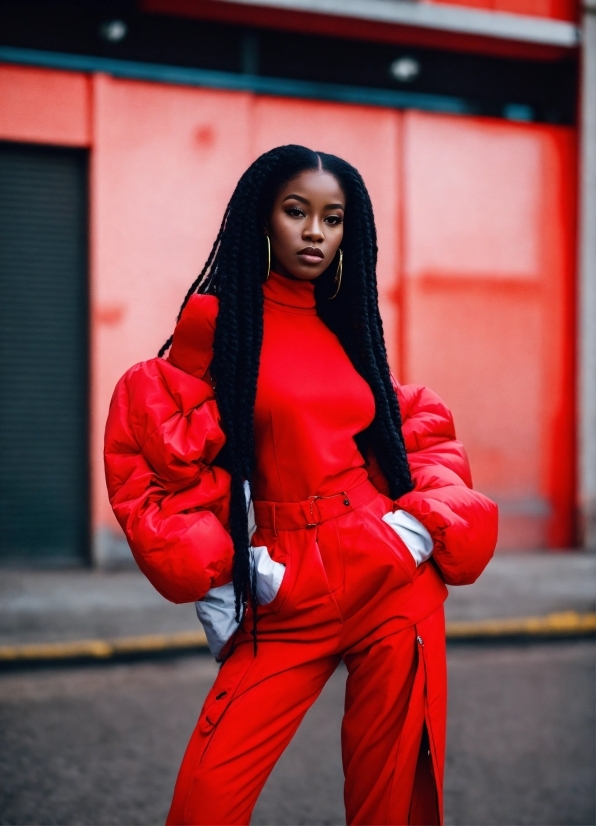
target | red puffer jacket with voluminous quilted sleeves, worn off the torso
[{"x": 163, "y": 435}]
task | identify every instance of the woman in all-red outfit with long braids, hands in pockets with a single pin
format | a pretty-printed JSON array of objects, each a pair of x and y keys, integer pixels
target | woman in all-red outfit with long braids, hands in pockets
[{"x": 276, "y": 406}]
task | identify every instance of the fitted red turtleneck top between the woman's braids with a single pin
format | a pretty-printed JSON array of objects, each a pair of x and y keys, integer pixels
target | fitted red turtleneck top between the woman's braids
[{"x": 310, "y": 401}]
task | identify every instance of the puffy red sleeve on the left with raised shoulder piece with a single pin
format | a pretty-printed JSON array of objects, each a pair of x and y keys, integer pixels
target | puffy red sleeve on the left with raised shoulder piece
[{"x": 163, "y": 435}]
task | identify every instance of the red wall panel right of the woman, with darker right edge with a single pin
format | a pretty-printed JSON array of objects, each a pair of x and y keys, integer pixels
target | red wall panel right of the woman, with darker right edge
[{"x": 487, "y": 270}]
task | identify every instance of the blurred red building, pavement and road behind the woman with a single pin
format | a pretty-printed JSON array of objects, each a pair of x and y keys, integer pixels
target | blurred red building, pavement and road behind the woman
[{"x": 124, "y": 127}]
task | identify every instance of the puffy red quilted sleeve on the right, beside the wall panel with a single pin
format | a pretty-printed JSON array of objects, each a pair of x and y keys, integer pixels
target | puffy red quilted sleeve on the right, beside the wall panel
[{"x": 461, "y": 521}]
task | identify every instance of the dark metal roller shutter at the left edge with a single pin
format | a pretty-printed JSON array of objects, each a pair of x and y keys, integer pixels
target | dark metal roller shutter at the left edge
[{"x": 44, "y": 489}]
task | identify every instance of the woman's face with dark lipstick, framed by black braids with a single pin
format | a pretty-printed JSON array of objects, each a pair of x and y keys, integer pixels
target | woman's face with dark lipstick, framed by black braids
[{"x": 306, "y": 225}]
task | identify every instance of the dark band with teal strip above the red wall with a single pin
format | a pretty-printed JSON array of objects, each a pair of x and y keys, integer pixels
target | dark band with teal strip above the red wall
[{"x": 173, "y": 49}]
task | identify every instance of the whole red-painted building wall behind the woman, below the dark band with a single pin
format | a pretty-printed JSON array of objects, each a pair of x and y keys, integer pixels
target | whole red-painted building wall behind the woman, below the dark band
[{"x": 476, "y": 237}]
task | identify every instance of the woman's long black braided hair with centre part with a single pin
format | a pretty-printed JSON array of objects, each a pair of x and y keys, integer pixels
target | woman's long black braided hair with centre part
[{"x": 234, "y": 272}]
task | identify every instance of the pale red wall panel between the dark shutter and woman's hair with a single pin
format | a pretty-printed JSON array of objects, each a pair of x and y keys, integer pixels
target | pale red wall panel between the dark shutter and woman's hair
[{"x": 165, "y": 162}]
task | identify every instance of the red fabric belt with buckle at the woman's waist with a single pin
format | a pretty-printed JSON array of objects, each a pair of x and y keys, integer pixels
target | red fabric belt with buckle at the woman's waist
[{"x": 293, "y": 516}]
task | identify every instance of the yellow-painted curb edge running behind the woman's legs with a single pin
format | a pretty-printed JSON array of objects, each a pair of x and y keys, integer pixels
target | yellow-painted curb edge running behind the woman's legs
[{"x": 557, "y": 625}]
